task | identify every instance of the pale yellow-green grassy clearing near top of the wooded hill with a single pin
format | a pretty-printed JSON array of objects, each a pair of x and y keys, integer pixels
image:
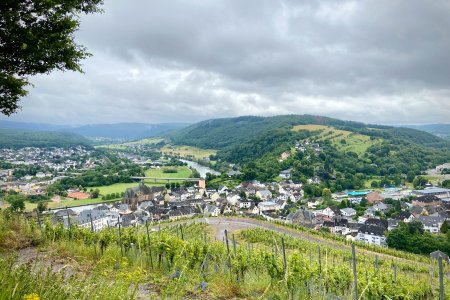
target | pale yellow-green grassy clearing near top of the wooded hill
[{"x": 354, "y": 142}]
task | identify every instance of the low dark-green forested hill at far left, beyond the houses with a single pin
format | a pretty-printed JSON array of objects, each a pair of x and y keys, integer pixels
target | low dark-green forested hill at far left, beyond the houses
[{"x": 18, "y": 138}]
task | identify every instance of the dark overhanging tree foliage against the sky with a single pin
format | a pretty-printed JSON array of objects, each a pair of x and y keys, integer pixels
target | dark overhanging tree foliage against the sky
[{"x": 37, "y": 37}]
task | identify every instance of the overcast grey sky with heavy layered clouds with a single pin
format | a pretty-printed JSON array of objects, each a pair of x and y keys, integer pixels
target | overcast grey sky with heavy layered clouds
[{"x": 375, "y": 61}]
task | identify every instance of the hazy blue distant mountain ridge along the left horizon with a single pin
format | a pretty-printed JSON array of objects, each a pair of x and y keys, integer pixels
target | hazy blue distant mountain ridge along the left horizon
[{"x": 116, "y": 131}]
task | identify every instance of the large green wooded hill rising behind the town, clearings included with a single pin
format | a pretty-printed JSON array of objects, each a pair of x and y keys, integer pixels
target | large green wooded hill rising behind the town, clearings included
[{"x": 350, "y": 154}]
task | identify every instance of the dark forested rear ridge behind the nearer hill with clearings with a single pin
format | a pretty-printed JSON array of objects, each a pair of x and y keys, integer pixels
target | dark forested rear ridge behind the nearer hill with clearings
[{"x": 228, "y": 132}]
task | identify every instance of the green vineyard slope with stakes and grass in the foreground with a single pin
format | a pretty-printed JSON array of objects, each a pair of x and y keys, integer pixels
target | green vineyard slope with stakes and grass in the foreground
[{"x": 184, "y": 261}]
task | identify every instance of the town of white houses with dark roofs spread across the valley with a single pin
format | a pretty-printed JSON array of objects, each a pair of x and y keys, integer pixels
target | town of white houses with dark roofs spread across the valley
[{"x": 365, "y": 216}]
